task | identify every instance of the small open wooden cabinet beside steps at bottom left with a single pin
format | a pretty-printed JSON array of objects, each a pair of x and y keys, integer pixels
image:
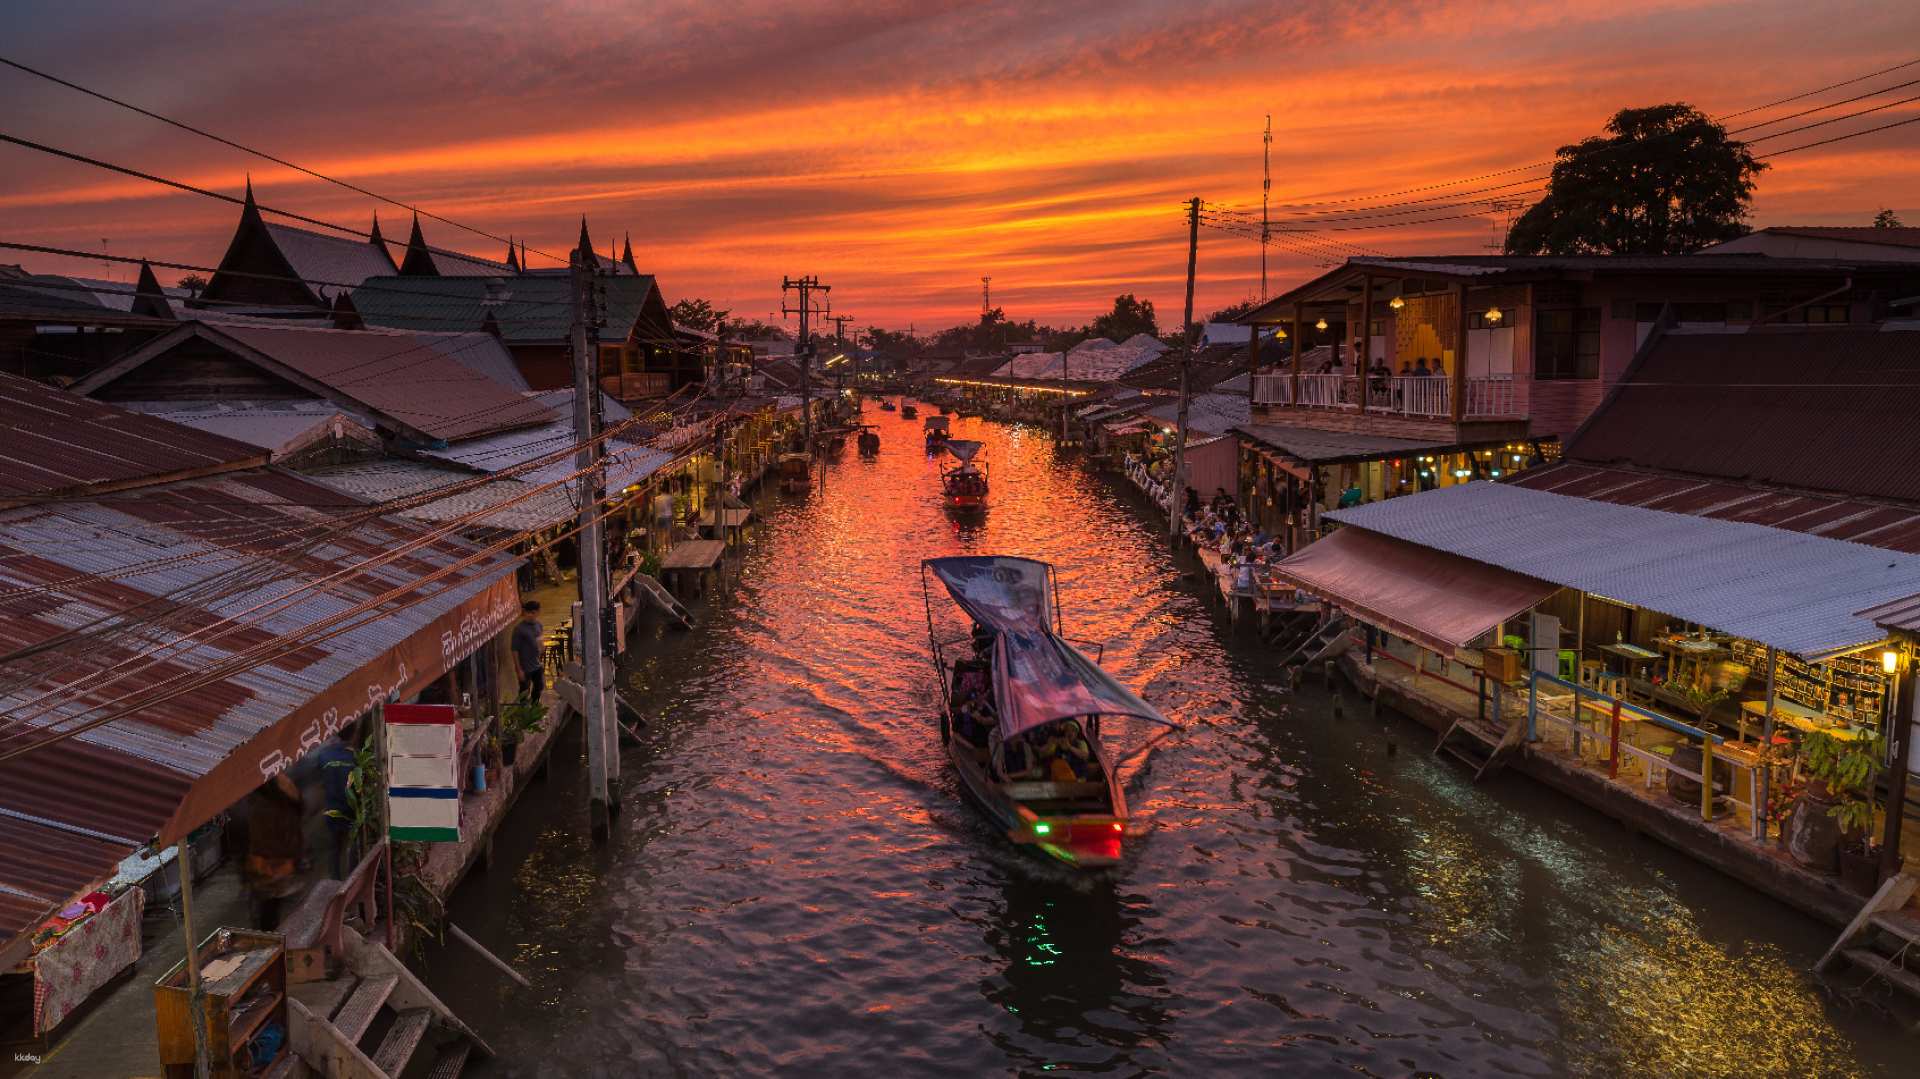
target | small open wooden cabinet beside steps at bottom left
[{"x": 245, "y": 997}]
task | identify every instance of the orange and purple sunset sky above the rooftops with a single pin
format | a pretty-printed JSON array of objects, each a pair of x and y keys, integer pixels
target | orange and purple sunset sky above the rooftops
[{"x": 901, "y": 151}]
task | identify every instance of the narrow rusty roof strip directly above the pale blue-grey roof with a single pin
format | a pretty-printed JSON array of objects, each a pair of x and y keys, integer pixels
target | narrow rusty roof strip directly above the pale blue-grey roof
[{"x": 1871, "y": 523}]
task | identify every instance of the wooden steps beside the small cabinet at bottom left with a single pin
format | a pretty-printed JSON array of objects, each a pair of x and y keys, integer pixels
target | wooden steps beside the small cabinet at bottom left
[{"x": 375, "y": 1020}]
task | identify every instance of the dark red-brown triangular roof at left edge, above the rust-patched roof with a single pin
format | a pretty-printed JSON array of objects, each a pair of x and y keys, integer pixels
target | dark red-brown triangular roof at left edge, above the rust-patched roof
[{"x": 53, "y": 443}]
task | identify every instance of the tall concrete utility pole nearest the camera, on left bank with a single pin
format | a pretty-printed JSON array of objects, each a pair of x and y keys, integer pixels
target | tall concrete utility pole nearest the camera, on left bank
[{"x": 592, "y": 548}]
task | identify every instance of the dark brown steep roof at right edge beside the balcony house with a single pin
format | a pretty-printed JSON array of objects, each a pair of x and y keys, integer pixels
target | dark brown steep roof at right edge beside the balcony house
[{"x": 1825, "y": 410}]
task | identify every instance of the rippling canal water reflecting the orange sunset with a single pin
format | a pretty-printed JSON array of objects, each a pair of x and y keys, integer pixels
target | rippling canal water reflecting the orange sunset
[{"x": 796, "y": 884}]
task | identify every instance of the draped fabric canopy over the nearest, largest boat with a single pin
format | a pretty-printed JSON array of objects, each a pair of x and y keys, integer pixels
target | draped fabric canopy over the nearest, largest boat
[{"x": 1038, "y": 677}]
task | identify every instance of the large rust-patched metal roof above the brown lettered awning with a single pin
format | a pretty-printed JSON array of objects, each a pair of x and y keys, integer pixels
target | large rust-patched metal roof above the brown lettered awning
[{"x": 233, "y": 560}]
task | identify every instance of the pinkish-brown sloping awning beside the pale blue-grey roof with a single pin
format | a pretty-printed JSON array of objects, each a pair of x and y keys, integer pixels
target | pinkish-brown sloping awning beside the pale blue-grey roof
[{"x": 1435, "y": 600}]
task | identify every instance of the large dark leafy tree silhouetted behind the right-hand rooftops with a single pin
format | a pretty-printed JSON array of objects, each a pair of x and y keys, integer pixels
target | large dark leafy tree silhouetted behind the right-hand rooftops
[{"x": 1664, "y": 181}]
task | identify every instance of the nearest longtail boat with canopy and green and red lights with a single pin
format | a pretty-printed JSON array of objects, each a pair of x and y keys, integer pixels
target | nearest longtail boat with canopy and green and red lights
[{"x": 1022, "y": 709}]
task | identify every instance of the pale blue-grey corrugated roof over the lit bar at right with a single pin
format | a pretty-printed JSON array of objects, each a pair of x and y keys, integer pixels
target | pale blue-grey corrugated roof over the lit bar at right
[{"x": 1790, "y": 590}]
